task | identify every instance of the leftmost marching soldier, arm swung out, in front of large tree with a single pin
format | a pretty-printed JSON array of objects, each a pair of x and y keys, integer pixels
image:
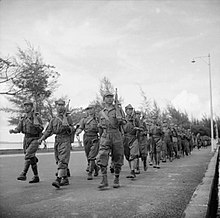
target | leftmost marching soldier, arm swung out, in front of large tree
[{"x": 31, "y": 126}]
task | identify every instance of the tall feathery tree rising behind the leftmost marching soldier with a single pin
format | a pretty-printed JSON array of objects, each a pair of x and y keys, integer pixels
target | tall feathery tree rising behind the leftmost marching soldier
[{"x": 30, "y": 78}]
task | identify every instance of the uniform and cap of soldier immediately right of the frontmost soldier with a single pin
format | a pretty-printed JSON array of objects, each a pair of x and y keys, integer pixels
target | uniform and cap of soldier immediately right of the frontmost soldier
[{"x": 131, "y": 148}]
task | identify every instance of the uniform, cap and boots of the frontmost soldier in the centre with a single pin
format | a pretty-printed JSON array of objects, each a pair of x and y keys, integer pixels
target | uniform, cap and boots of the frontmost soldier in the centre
[{"x": 110, "y": 142}]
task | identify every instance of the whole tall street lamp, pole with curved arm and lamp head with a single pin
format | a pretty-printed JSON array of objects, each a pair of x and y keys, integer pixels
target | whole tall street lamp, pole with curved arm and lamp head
[{"x": 210, "y": 92}]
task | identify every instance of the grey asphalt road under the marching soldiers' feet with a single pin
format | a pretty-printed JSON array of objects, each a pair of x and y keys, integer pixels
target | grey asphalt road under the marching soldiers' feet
[{"x": 155, "y": 193}]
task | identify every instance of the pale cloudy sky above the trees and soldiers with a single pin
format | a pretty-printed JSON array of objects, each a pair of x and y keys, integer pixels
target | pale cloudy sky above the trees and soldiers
[{"x": 137, "y": 45}]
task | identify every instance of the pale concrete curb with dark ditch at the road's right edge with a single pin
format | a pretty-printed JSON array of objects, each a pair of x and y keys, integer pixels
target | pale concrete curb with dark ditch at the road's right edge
[{"x": 203, "y": 203}]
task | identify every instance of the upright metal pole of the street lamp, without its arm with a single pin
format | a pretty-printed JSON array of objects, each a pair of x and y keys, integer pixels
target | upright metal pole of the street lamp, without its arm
[{"x": 211, "y": 109}]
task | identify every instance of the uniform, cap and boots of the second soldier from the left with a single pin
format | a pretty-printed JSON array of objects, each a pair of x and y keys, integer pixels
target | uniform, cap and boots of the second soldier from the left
[{"x": 62, "y": 146}]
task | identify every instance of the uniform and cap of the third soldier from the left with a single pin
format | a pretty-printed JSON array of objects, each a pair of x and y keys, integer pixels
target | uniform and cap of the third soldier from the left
[{"x": 90, "y": 140}]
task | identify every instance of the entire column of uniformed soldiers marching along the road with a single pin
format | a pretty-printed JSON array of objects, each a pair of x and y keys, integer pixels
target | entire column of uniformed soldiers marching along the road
[{"x": 108, "y": 137}]
